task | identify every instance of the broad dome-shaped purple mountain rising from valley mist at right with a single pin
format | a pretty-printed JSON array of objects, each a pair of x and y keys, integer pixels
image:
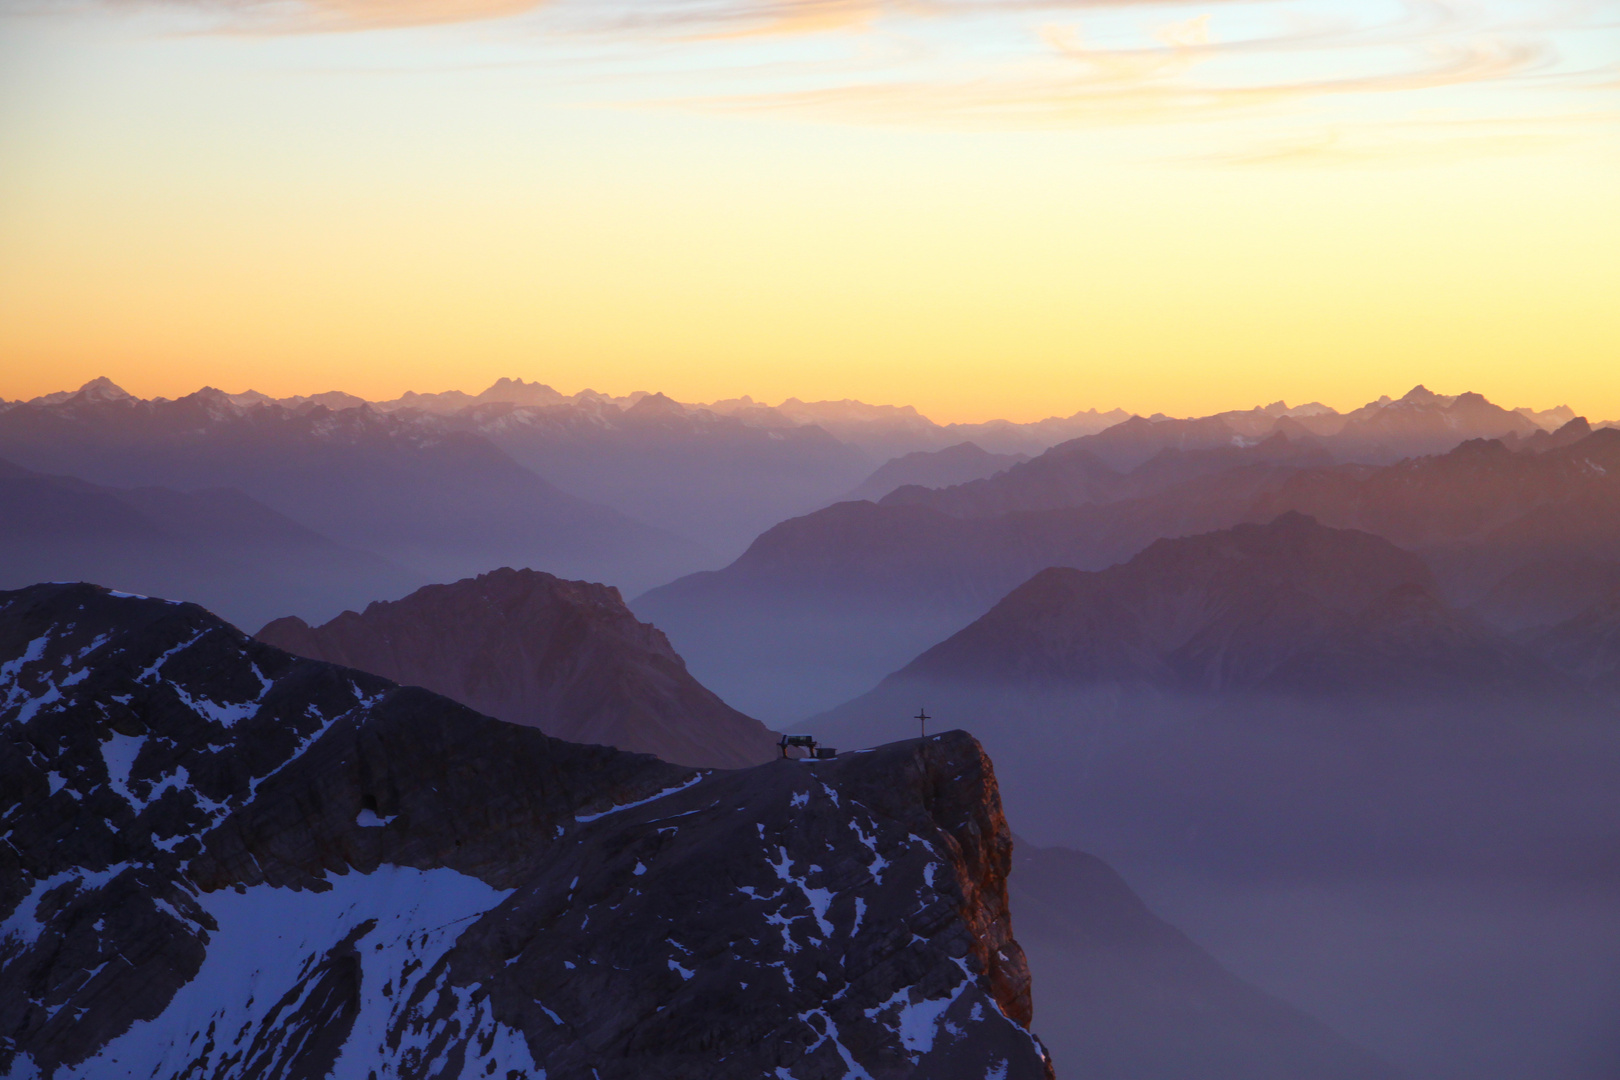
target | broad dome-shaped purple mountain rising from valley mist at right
[{"x": 1289, "y": 606}]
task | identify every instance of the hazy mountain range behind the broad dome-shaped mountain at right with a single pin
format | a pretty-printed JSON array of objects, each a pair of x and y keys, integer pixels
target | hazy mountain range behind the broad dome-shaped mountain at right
[{"x": 824, "y": 606}]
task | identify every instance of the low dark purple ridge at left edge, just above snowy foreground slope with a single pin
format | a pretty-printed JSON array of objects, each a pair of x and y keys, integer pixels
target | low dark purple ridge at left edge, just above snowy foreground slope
[{"x": 215, "y": 546}]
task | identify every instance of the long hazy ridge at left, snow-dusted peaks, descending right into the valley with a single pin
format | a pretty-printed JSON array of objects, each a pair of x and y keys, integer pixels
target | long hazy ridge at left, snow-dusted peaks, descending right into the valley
[{"x": 440, "y": 503}]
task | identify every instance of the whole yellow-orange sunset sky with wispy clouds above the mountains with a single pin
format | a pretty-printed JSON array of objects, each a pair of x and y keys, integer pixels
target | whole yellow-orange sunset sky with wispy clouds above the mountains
[{"x": 981, "y": 208}]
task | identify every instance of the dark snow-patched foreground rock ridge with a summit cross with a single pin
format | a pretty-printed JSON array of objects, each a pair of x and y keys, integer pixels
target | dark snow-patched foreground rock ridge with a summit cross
[{"x": 228, "y": 861}]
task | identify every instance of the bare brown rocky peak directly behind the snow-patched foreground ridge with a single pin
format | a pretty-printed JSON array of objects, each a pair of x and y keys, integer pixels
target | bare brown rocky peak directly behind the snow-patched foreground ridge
[{"x": 563, "y": 657}]
